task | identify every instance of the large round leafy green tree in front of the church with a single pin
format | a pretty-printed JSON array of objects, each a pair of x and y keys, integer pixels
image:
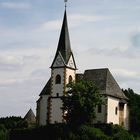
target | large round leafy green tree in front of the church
[{"x": 80, "y": 102}]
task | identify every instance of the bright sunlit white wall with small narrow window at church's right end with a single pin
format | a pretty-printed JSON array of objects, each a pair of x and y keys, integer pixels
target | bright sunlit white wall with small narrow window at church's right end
[{"x": 112, "y": 104}]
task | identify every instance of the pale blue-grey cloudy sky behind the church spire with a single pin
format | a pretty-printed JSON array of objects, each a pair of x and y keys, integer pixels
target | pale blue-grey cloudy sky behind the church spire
[{"x": 103, "y": 33}]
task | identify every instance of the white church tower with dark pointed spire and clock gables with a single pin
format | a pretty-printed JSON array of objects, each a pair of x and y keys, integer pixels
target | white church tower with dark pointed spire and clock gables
[{"x": 63, "y": 70}]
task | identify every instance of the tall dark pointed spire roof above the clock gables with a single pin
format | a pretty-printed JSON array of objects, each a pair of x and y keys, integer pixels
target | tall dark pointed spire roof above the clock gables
[{"x": 64, "y": 47}]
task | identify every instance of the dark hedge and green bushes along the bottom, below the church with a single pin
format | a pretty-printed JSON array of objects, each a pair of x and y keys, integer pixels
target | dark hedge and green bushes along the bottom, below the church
[{"x": 63, "y": 132}]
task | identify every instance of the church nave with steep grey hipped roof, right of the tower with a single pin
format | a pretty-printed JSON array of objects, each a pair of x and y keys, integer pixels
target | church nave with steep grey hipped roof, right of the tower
[{"x": 115, "y": 108}]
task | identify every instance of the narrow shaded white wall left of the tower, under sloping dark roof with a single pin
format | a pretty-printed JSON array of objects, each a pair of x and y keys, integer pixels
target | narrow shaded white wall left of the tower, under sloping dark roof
[{"x": 43, "y": 110}]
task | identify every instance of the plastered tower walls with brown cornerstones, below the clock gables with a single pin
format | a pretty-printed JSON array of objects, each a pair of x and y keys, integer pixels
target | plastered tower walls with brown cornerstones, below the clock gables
[{"x": 58, "y": 90}]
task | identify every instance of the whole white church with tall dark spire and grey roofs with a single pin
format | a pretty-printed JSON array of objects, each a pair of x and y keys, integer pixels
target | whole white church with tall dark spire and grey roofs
[{"x": 63, "y": 70}]
